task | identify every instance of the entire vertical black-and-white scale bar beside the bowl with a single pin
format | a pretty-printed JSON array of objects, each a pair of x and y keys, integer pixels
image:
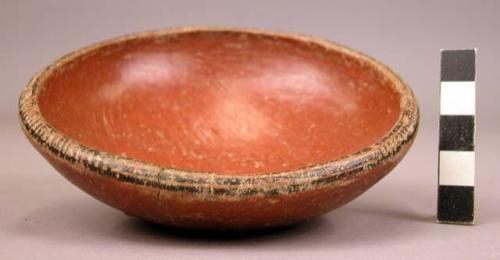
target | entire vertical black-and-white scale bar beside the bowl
[{"x": 457, "y": 137}]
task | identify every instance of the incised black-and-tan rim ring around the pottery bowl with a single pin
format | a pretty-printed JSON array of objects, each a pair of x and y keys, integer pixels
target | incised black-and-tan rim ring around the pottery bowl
[{"x": 137, "y": 172}]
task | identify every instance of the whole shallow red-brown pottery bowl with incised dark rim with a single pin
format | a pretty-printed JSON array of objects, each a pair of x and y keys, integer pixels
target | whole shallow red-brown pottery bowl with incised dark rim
[{"x": 220, "y": 128}]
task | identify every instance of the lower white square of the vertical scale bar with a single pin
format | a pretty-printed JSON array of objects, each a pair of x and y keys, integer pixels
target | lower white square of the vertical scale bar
[{"x": 456, "y": 168}]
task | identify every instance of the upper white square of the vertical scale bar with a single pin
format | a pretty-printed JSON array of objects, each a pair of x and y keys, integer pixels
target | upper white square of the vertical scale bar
[{"x": 458, "y": 98}]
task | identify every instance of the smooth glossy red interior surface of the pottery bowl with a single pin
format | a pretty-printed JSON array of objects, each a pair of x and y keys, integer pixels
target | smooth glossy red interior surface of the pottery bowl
[{"x": 225, "y": 102}]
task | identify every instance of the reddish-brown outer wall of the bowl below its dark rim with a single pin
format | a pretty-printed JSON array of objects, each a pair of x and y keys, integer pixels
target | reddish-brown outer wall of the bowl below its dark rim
[{"x": 184, "y": 209}]
